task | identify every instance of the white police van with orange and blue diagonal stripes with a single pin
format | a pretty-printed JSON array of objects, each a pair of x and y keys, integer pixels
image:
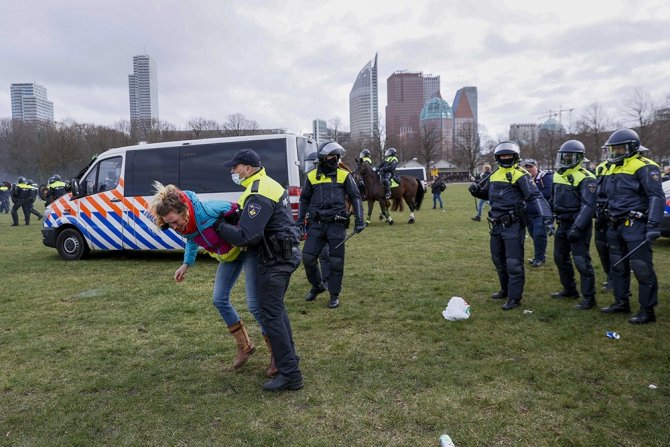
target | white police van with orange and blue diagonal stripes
[{"x": 107, "y": 208}]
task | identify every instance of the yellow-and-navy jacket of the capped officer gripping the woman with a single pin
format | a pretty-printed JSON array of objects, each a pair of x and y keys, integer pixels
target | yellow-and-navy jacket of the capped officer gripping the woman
[{"x": 266, "y": 212}]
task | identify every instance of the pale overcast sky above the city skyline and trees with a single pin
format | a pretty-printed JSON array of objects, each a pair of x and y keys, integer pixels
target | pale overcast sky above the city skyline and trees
[{"x": 283, "y": 63}]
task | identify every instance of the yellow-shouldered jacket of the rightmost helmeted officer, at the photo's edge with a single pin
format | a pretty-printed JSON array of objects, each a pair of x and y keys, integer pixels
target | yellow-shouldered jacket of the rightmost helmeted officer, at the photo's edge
[{"x": 635, "y": 185}]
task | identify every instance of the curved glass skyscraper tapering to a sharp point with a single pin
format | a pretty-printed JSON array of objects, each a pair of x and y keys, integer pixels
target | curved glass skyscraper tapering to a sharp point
[{"x": 364, "y": 103}]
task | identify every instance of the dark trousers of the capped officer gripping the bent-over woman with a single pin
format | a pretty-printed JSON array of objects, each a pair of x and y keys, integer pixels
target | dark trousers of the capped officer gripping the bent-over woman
[{"x": 271, "y": 285}]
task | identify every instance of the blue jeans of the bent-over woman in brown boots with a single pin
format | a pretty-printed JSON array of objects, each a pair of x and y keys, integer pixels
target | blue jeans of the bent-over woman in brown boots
[{"x": 226, "y": 276}]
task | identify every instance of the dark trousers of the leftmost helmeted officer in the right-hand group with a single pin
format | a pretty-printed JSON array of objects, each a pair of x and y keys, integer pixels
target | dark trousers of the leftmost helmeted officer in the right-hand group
[{"x": 507, "y": 255}]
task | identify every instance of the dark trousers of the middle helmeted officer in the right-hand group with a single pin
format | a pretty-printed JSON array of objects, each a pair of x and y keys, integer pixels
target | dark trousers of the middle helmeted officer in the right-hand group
[{"x": 579, "y": 249}]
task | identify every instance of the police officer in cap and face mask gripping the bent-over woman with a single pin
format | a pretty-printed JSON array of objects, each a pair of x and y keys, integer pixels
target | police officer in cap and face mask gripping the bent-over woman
[{"x": 266, "y": 226}]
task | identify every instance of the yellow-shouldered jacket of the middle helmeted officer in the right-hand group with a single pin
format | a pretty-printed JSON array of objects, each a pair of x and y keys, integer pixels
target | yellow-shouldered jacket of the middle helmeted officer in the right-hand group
[{"x": 575, "y": 196}]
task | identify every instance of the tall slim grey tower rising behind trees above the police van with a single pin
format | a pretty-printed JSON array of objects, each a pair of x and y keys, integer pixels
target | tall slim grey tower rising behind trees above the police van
[{"x": 143, "y": 92}]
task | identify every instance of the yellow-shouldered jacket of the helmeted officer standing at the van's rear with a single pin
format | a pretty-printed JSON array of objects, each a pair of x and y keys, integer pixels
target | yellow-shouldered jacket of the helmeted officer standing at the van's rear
[{"x": 323, "y": 195}]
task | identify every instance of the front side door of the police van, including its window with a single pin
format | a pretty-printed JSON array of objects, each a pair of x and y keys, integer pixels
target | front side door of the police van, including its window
[{"x": 101, "y": 210}]
